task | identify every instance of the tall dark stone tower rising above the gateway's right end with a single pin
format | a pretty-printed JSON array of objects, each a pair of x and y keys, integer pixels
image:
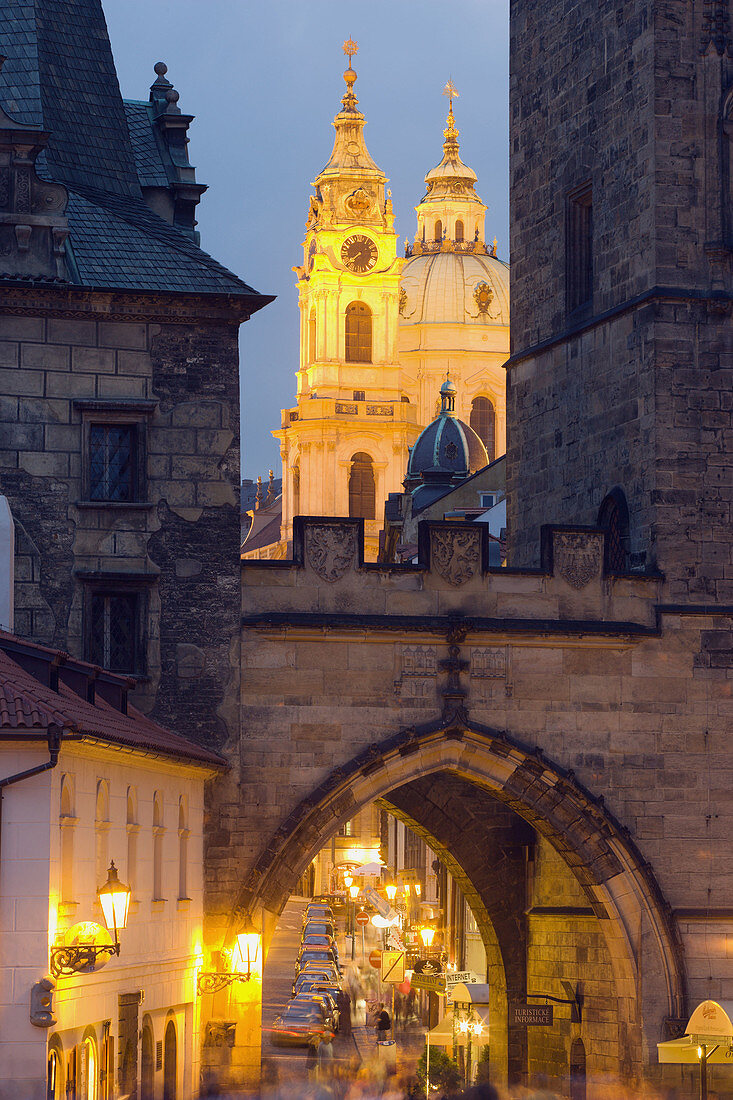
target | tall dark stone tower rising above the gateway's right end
[{"x": 619, "y": 386}]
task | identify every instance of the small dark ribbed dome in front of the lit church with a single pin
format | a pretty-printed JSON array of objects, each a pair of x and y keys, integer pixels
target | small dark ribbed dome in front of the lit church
[{"x": 445, "y": 454}]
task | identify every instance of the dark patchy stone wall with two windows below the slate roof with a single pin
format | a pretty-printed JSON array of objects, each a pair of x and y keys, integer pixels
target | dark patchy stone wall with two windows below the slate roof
[{"x": 173, "y": 366}]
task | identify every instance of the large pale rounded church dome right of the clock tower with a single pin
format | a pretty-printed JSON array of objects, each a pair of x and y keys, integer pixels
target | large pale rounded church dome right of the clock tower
[{"x": 455, "y": 288}]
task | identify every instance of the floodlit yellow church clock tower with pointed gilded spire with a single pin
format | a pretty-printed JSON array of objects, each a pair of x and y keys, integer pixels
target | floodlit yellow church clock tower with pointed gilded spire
[{"x": 345, "y": 444}]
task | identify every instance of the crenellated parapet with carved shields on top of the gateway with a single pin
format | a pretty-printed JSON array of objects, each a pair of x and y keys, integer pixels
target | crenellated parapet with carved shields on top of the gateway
[{"x": 329, "y": 585}]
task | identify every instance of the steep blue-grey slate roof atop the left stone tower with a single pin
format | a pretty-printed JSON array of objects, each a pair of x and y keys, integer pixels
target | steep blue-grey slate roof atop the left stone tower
[{"x": 60, "y": 76}]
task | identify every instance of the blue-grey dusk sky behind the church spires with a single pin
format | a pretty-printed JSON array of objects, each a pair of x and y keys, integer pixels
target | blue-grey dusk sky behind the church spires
[{"x": 265, "y": 83}]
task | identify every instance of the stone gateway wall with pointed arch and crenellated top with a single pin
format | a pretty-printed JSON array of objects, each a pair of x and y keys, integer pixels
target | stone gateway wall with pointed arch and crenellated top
[{"x": 358, "y": 679}]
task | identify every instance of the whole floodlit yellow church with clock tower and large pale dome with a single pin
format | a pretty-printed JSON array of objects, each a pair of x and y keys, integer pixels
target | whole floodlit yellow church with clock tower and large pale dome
[{"x": 380, "y": 332}]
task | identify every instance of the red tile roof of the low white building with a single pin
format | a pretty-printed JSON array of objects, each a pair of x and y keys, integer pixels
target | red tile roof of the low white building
[{"x": 27, "y": 705}]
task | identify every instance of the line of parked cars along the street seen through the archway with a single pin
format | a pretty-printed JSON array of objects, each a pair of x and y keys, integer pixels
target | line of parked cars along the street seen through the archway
[{"x": 313, "y": 1011}]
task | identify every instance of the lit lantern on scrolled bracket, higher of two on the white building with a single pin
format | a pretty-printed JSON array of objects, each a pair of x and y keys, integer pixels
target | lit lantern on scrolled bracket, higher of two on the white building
[{"x": 87, "y": 949}]
